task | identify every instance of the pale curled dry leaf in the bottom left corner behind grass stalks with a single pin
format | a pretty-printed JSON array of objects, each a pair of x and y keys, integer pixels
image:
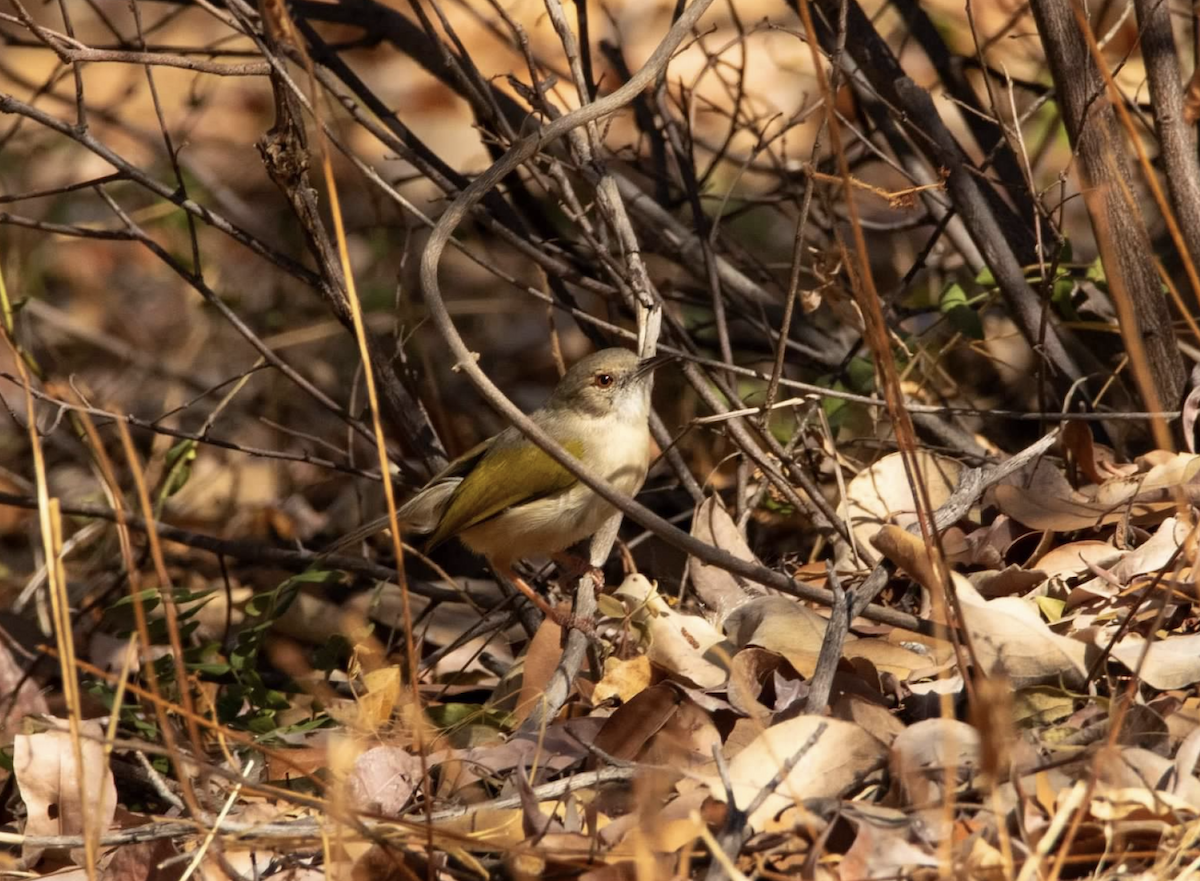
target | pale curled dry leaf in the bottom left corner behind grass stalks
[{"x": 61, "y": 798}]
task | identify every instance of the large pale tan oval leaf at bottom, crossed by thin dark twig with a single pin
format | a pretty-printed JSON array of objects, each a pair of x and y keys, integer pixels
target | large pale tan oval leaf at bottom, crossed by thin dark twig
[{"x": 841, "y": 757}]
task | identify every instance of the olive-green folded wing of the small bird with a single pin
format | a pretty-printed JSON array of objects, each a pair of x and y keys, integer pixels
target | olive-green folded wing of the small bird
[{"x": 506, "y": 477}]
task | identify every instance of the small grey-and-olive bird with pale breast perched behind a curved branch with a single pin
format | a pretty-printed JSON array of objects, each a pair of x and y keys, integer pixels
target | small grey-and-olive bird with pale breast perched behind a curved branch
[{"x": 507, "y": 500}]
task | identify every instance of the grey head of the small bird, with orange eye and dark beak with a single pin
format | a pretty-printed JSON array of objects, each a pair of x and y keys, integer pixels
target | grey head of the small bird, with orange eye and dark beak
[{"x": 609, "y": 382}]
